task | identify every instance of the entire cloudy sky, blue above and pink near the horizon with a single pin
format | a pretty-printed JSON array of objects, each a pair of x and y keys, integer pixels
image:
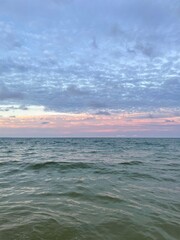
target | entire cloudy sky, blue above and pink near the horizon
[{"x": 80, "y": 68}]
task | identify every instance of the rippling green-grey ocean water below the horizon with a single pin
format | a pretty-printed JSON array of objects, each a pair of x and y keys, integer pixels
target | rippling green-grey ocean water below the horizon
[{"x": 89, "y": 189}]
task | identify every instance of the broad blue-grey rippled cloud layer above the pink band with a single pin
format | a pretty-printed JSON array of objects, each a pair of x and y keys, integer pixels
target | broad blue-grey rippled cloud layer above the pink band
[{"x": 124, "y": 59}]
